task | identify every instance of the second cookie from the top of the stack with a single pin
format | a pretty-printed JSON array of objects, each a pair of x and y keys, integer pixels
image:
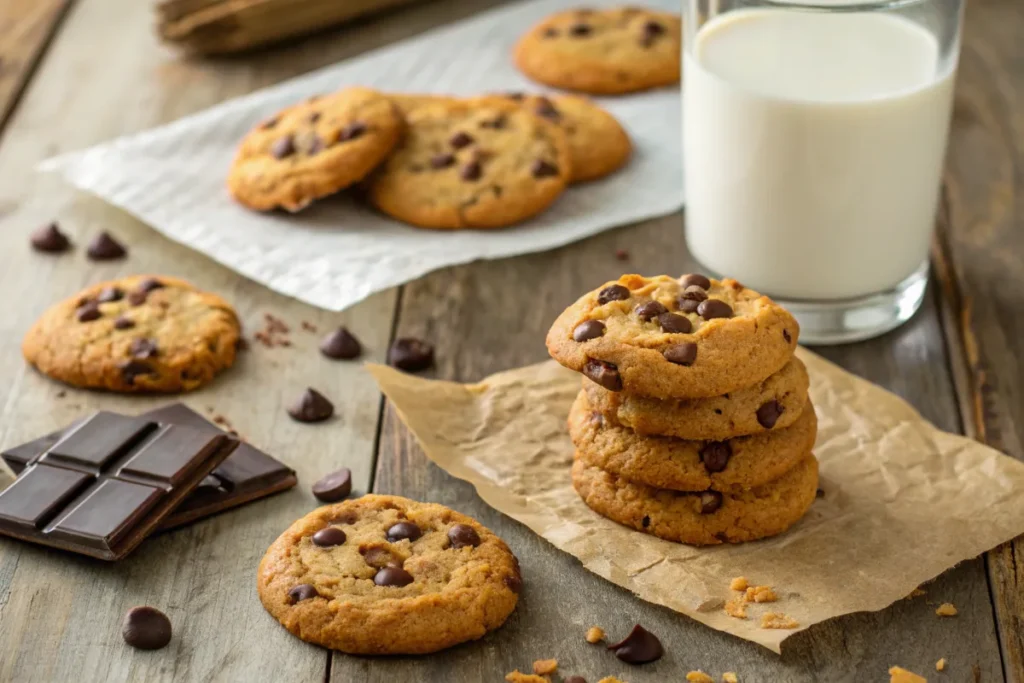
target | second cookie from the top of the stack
[{"x": 775, "y": 403}]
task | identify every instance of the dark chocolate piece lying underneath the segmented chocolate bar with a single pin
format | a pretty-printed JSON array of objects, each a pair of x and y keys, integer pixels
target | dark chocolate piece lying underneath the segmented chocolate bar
[{"x": 248, "y": 475}]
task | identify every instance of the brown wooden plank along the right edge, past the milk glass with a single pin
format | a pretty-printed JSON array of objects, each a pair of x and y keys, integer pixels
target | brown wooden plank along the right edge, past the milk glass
[{"x": 982, "y": 265}]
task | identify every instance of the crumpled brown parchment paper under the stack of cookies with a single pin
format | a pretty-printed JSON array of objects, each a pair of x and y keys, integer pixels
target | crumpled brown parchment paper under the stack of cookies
[{"x": 903, "y": 503}]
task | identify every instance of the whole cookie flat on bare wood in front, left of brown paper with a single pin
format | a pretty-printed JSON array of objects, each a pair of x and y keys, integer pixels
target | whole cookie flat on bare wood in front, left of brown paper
[{"x": 383, "y": 575}]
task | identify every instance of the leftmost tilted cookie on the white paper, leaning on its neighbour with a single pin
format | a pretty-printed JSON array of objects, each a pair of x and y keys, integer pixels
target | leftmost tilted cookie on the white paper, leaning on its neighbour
[{"x": 315, "y": 149}]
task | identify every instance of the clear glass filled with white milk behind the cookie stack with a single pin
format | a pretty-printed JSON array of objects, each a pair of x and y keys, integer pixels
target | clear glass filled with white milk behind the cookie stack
[{"x": 815, "y": 137}]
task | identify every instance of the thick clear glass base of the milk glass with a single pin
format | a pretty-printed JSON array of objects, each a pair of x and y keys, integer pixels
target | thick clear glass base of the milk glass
[{"x": 845, "y": 321}]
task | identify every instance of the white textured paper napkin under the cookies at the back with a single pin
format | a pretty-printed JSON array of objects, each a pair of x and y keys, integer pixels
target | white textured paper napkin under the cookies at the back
[{"x": 338, "y": 252}]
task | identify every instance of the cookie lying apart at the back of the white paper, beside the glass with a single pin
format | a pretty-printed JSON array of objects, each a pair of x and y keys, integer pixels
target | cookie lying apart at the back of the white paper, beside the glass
[{"x": 604, "y": 52}]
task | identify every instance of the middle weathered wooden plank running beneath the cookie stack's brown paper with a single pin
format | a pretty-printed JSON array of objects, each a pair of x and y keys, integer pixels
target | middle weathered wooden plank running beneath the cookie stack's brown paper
[{"x": 504, "y": 310}]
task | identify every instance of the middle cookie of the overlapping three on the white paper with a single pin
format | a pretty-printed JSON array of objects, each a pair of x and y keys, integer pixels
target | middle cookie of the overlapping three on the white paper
[{"x": 473, "y": 165}]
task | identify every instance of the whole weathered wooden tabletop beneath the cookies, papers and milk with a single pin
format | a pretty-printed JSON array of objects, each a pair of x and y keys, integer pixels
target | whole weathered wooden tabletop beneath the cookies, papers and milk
[{"x": 74, "y": 73}]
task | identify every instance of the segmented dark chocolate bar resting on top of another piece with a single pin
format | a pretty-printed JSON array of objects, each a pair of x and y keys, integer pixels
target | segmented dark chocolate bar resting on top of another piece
[{"x": 109, "y": 483}]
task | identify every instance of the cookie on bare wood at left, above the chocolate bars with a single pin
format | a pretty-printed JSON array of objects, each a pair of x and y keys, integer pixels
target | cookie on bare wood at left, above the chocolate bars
[{"x": 144, "y": 333}]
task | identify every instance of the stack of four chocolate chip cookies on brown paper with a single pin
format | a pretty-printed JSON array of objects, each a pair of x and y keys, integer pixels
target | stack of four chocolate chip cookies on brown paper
[{"x": 694, "y": 423}]
